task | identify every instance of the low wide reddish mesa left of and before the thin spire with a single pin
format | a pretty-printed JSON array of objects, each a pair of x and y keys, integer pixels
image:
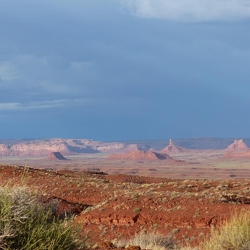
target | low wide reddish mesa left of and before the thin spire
[{"x": 140, "y": 155}]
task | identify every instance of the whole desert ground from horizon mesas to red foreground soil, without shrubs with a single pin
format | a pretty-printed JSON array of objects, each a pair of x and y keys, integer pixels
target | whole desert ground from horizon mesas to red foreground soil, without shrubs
[{"x": 117, "y": 190}]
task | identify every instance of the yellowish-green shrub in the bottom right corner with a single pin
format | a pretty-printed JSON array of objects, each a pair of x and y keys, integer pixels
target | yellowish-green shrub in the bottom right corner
[{"x": 233, "y": 235}]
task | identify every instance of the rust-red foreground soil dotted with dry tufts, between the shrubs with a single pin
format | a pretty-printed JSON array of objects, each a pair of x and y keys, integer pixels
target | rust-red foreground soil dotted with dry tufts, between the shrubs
[{"x": 120, "y": 205}]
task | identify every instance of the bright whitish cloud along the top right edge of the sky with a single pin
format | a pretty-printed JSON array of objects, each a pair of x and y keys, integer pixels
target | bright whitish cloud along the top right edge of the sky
[{"x": 190, "y": 10}]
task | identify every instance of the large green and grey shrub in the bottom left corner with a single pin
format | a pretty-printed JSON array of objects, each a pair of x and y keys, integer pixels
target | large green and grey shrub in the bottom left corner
[{"x": 26, "y": 223}]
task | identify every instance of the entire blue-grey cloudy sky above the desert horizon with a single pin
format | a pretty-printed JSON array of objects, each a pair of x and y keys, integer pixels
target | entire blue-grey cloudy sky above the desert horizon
[{"x": 124, "y": 69}]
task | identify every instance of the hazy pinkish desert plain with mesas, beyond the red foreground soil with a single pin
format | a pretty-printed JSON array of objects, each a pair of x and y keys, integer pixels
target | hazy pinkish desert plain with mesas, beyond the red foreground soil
[{"x": 202, "y": 158}]
